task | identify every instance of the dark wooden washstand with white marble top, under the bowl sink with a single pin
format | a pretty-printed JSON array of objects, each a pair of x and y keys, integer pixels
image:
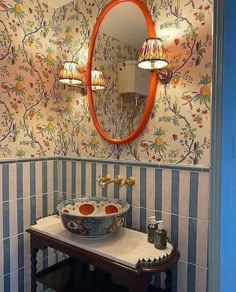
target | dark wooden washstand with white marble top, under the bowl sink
[{"x": 126, "y": 255}]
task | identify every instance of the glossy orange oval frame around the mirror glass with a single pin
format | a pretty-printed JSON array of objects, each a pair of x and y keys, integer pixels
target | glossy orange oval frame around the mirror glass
[{"x": 153, "y": 79}]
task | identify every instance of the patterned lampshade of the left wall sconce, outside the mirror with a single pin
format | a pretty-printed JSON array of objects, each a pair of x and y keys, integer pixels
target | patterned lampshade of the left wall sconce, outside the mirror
[{"x": 70, "y": 74}]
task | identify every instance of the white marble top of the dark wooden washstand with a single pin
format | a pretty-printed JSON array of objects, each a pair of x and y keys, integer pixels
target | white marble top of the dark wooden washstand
[{"x": 125, "y": 246}]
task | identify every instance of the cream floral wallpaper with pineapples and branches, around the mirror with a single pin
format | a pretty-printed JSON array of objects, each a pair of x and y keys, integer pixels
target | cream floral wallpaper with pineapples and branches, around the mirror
[{"x": 41, "y": 117}]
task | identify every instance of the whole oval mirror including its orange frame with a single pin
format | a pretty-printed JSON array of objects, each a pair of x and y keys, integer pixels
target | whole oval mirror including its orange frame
[{"x": 121, "y": 110}]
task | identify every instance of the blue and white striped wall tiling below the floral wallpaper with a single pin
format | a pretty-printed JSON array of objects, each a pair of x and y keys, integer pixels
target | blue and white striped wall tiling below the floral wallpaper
[{"x": 31, "y": 188}]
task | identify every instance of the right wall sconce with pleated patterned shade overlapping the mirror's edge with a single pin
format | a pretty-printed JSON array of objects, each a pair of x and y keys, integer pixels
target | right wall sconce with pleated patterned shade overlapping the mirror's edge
[{"x": 153, "y": 56}]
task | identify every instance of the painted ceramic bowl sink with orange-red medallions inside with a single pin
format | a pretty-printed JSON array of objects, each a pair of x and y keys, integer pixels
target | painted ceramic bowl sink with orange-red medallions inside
[{"x": 93, "y": 217}]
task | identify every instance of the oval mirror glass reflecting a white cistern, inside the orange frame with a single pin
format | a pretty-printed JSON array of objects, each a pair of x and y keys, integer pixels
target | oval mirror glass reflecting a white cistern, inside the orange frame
[{"x": 119, "y": 107}]
